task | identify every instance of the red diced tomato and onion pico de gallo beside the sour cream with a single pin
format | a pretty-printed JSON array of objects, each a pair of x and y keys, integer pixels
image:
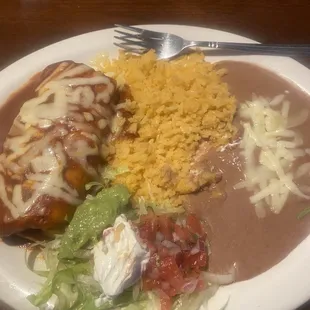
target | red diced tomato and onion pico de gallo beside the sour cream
[{"x": 178, "y": 255}]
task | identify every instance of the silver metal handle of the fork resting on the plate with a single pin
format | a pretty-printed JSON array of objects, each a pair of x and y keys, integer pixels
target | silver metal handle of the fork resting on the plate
[{"x": 271, "y": 49}]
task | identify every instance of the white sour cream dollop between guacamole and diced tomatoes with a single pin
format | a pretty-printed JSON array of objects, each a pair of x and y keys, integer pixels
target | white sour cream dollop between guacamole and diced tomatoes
[{"x": 119, "y": 258}]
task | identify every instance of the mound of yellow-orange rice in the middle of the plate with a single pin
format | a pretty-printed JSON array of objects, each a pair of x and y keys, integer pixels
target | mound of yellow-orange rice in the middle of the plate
[{"x": 176, "y": 105}]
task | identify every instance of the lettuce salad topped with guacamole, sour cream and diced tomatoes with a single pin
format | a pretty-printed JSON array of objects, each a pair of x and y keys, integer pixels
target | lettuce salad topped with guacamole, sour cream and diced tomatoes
[{"x": 114, "y": 256}]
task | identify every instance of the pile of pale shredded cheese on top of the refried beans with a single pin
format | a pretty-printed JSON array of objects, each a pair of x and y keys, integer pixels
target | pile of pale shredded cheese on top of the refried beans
[{"x": 270, "y": 146}]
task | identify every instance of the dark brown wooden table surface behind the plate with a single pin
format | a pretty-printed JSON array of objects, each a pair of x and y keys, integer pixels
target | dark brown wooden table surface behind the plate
[{"x": 27, "y": 25}]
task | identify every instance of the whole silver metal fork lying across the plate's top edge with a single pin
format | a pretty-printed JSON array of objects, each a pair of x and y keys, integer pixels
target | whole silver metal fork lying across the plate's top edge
[{"x": 167, "y": 45}]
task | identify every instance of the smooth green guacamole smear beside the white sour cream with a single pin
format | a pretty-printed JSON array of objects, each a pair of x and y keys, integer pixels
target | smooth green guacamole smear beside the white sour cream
[{"x": 91, "y": 218}]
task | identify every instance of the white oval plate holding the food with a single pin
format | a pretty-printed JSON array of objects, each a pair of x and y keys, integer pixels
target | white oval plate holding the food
[{"x": 285, "y": 286}]
